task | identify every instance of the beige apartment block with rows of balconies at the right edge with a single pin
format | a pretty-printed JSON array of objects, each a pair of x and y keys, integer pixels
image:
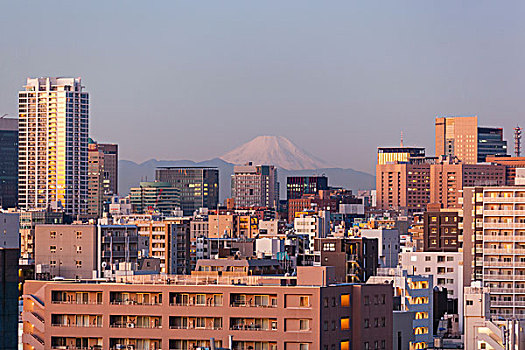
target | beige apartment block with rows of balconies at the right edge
[{"x": 495, "y": 230}]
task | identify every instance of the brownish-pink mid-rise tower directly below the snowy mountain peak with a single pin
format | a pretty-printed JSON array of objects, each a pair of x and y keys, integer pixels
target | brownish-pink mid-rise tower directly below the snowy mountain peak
[{"x": 255, "y": 186}]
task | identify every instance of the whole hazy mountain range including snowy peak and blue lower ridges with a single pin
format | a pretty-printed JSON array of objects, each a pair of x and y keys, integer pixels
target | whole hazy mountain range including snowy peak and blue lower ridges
[{"x": 276, "y": 150}]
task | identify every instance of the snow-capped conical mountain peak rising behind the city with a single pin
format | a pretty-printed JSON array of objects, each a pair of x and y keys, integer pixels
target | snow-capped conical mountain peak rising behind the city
[{"x": 274, "y": 150}]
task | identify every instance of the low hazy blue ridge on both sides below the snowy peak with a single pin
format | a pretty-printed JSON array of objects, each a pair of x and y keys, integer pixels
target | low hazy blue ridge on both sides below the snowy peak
[{"x": 131, "y": 173}]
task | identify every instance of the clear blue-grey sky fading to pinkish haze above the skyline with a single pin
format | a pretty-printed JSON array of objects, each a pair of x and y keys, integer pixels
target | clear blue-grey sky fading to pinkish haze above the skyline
[{"x": 194, "y": 79}]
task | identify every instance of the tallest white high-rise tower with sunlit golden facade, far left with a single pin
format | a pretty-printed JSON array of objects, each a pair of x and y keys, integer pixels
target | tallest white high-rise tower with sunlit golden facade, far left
[{"x": 53, "y": 145}]
